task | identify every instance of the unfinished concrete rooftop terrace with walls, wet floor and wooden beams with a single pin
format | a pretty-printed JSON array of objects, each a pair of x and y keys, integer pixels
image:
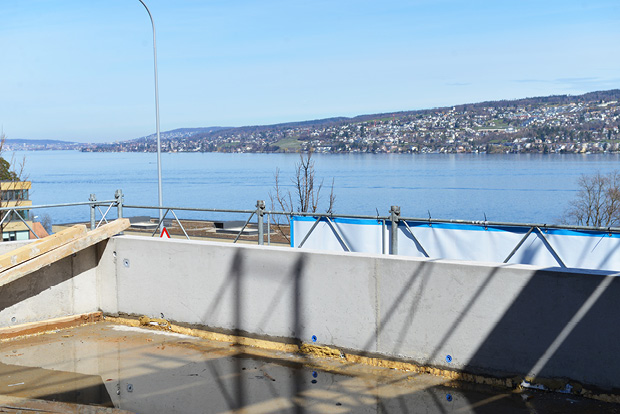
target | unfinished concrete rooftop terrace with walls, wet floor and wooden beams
[{"x": 251, "y": 328}]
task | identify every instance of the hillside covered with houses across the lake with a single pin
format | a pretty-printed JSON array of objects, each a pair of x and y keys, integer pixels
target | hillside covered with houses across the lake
[{"x": 559, "y": 124}]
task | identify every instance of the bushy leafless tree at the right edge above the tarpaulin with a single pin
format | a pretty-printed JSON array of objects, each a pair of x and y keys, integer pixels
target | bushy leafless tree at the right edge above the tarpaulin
[{"x": 597, "y": 203}]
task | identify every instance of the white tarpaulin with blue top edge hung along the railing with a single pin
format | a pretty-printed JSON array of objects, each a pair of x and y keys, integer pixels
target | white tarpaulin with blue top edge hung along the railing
[{"x": 542, "y": 247}]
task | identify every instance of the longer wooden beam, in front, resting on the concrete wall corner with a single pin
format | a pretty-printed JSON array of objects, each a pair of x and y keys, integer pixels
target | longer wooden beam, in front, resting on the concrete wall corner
[{"x": 91, "y": 238}]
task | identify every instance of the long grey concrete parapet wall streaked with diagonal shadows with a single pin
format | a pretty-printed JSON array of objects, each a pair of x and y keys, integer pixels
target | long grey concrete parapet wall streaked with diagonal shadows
[{"x": 499, "y": 320}]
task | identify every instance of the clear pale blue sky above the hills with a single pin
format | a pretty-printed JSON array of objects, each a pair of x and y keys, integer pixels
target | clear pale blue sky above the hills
[{"x": 83, "y": 70}]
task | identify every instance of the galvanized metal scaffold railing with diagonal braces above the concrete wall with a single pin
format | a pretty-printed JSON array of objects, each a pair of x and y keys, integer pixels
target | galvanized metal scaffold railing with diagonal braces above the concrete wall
[{"x": 263, "y": 216}]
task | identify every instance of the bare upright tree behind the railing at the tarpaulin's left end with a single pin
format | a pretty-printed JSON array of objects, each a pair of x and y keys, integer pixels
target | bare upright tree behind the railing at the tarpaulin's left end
[{"x": 306, "y": 194}]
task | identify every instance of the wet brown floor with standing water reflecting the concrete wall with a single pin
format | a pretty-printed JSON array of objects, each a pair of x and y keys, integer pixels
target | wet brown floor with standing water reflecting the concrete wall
[{"x": 145, "y": 371}]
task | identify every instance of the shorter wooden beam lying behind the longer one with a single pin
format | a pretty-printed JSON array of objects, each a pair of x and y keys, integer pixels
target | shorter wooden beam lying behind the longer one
[{"x": 41, "y": 246}]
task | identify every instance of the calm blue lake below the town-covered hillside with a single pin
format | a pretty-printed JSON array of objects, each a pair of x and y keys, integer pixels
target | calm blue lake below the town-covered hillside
[{"x": 533, "y": 188}]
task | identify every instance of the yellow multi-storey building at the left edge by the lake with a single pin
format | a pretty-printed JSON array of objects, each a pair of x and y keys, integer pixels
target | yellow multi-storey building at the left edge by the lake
[{"x": 15, "y": 194}]
